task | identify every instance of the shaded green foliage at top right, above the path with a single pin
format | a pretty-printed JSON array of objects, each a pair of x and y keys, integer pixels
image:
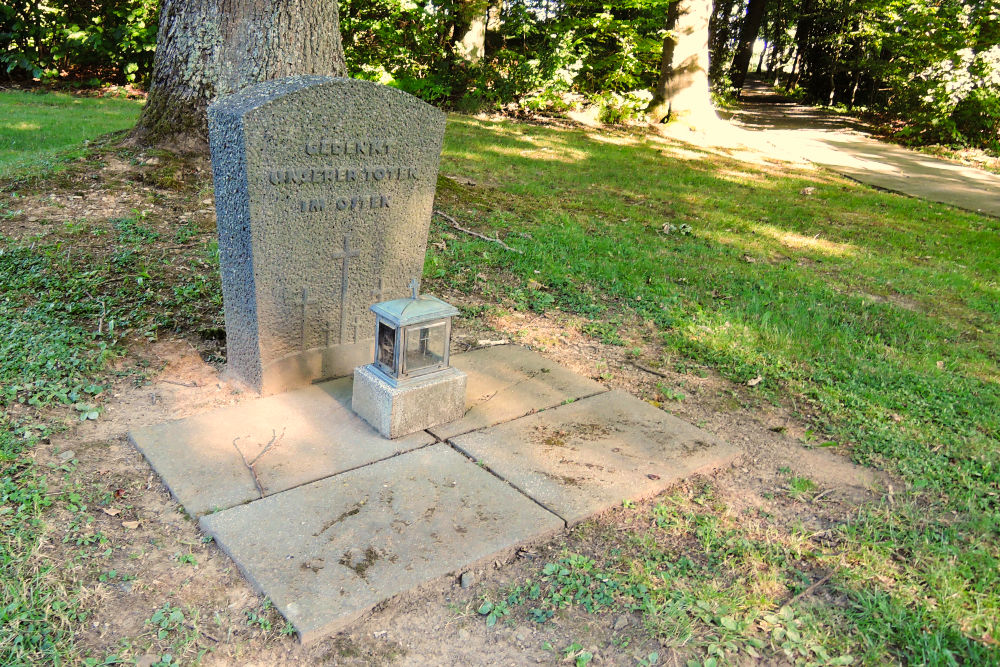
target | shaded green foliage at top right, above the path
[{"x": 933, "y": 67}]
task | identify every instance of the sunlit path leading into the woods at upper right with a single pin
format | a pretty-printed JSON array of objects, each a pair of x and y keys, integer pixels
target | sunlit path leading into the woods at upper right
[{"x": 845, "y": 145}]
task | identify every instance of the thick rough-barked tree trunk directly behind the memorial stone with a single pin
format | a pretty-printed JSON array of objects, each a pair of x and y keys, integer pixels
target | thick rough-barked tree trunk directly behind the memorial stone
[{"x": 208, "y": 48}]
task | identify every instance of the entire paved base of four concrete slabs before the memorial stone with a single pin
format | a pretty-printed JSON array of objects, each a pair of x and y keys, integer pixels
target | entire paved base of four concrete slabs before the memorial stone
[{"x": 328, "y": 519}]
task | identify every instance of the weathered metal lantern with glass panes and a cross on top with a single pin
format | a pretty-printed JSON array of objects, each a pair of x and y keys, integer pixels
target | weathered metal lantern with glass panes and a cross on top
[{"x": 412, "y": 336}]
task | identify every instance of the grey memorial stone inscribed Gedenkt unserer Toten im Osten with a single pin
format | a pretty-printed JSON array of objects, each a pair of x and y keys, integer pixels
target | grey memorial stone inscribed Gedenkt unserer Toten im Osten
[{"x": 324, "y": 189}]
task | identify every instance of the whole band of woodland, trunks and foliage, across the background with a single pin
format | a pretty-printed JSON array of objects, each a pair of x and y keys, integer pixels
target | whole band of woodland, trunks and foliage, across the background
[{"x": 930, "y": 68}]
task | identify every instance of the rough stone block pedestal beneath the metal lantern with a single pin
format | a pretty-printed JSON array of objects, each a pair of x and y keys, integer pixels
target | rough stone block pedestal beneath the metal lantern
[{"x": 395, "y": 411}]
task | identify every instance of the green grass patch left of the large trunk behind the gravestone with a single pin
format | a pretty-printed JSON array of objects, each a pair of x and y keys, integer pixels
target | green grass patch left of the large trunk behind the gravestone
[{"x": 40, "y": 130}]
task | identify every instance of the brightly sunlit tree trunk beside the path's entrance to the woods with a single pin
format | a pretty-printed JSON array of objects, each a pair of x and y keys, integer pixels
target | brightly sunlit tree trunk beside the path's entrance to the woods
[{"x": 682, "y": 89}]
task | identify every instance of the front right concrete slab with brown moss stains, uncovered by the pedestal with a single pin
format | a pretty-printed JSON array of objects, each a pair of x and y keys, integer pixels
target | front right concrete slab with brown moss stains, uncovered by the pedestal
[{"x": 580, "y": 459}]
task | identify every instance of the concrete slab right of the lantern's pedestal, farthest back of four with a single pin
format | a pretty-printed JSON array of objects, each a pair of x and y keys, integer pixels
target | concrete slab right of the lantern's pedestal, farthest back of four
[{"x": 508, "y": 381}]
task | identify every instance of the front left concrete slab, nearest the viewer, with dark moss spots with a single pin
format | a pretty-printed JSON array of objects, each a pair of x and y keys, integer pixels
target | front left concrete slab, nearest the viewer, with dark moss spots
[{"x": 327, "y": 552}]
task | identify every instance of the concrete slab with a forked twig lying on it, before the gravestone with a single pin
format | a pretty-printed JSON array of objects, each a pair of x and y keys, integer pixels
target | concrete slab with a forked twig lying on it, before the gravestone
[{"x": 290, "y": 439}]
